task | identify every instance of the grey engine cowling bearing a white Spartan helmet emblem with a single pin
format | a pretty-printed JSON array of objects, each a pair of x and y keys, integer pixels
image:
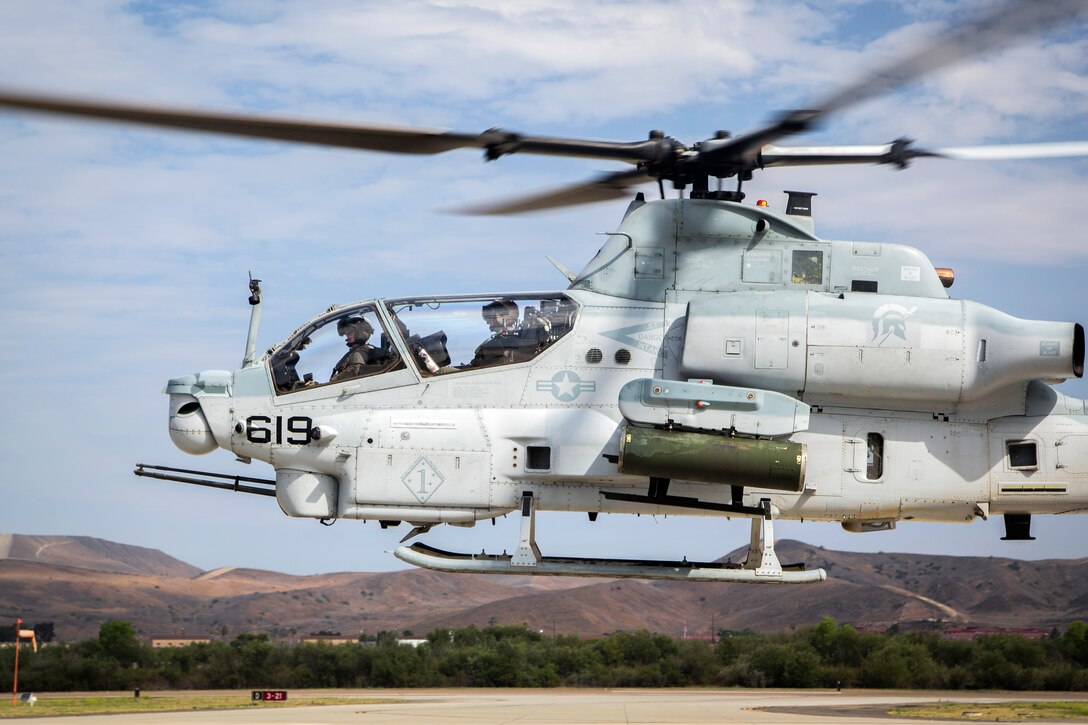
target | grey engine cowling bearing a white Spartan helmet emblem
[{"x": 886, "y": 350}]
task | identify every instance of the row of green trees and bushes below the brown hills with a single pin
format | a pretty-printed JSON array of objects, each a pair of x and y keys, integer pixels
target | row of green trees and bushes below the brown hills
[{"x": 825, "y": 656}]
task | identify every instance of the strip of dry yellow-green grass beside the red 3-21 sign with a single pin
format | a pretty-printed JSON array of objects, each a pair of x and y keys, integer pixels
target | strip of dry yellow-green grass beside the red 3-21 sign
[{"x": 84, "y": 706}]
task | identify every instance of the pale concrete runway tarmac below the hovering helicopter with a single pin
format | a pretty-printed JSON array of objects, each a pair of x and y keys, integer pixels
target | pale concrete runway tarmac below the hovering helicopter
[{"x": 579, "y": 707}]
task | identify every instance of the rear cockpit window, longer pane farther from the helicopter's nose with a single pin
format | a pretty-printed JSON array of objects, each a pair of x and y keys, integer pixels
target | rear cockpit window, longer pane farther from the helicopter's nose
[{"x": 459, "y": 335}]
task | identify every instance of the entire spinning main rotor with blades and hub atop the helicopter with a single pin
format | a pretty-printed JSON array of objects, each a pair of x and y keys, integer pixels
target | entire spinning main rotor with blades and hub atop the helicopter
[{"x": 660, "y": 157}]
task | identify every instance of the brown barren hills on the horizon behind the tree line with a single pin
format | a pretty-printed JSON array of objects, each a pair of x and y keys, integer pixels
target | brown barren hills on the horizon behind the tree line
[{"x": 78, "y": 583}]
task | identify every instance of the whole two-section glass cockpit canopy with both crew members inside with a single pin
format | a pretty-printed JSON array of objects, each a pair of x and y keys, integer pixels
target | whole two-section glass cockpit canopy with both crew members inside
[{"x": 434, "y": 336}]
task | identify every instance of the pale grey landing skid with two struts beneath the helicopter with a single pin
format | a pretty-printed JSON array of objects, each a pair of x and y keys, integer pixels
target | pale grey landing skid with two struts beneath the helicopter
[{"x": 762, "y": 566}]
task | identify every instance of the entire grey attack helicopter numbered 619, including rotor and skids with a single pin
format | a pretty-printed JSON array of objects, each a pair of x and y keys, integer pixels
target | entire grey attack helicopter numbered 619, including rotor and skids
[{"x": 714, "y": 359}]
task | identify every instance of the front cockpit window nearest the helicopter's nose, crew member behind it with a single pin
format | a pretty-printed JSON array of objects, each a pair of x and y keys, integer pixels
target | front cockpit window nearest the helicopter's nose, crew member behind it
[{"x": 349, "y": 345}]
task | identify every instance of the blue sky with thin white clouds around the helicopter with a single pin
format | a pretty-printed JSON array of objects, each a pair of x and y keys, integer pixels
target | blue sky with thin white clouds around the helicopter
[{"x": 127, "y": 252}]
